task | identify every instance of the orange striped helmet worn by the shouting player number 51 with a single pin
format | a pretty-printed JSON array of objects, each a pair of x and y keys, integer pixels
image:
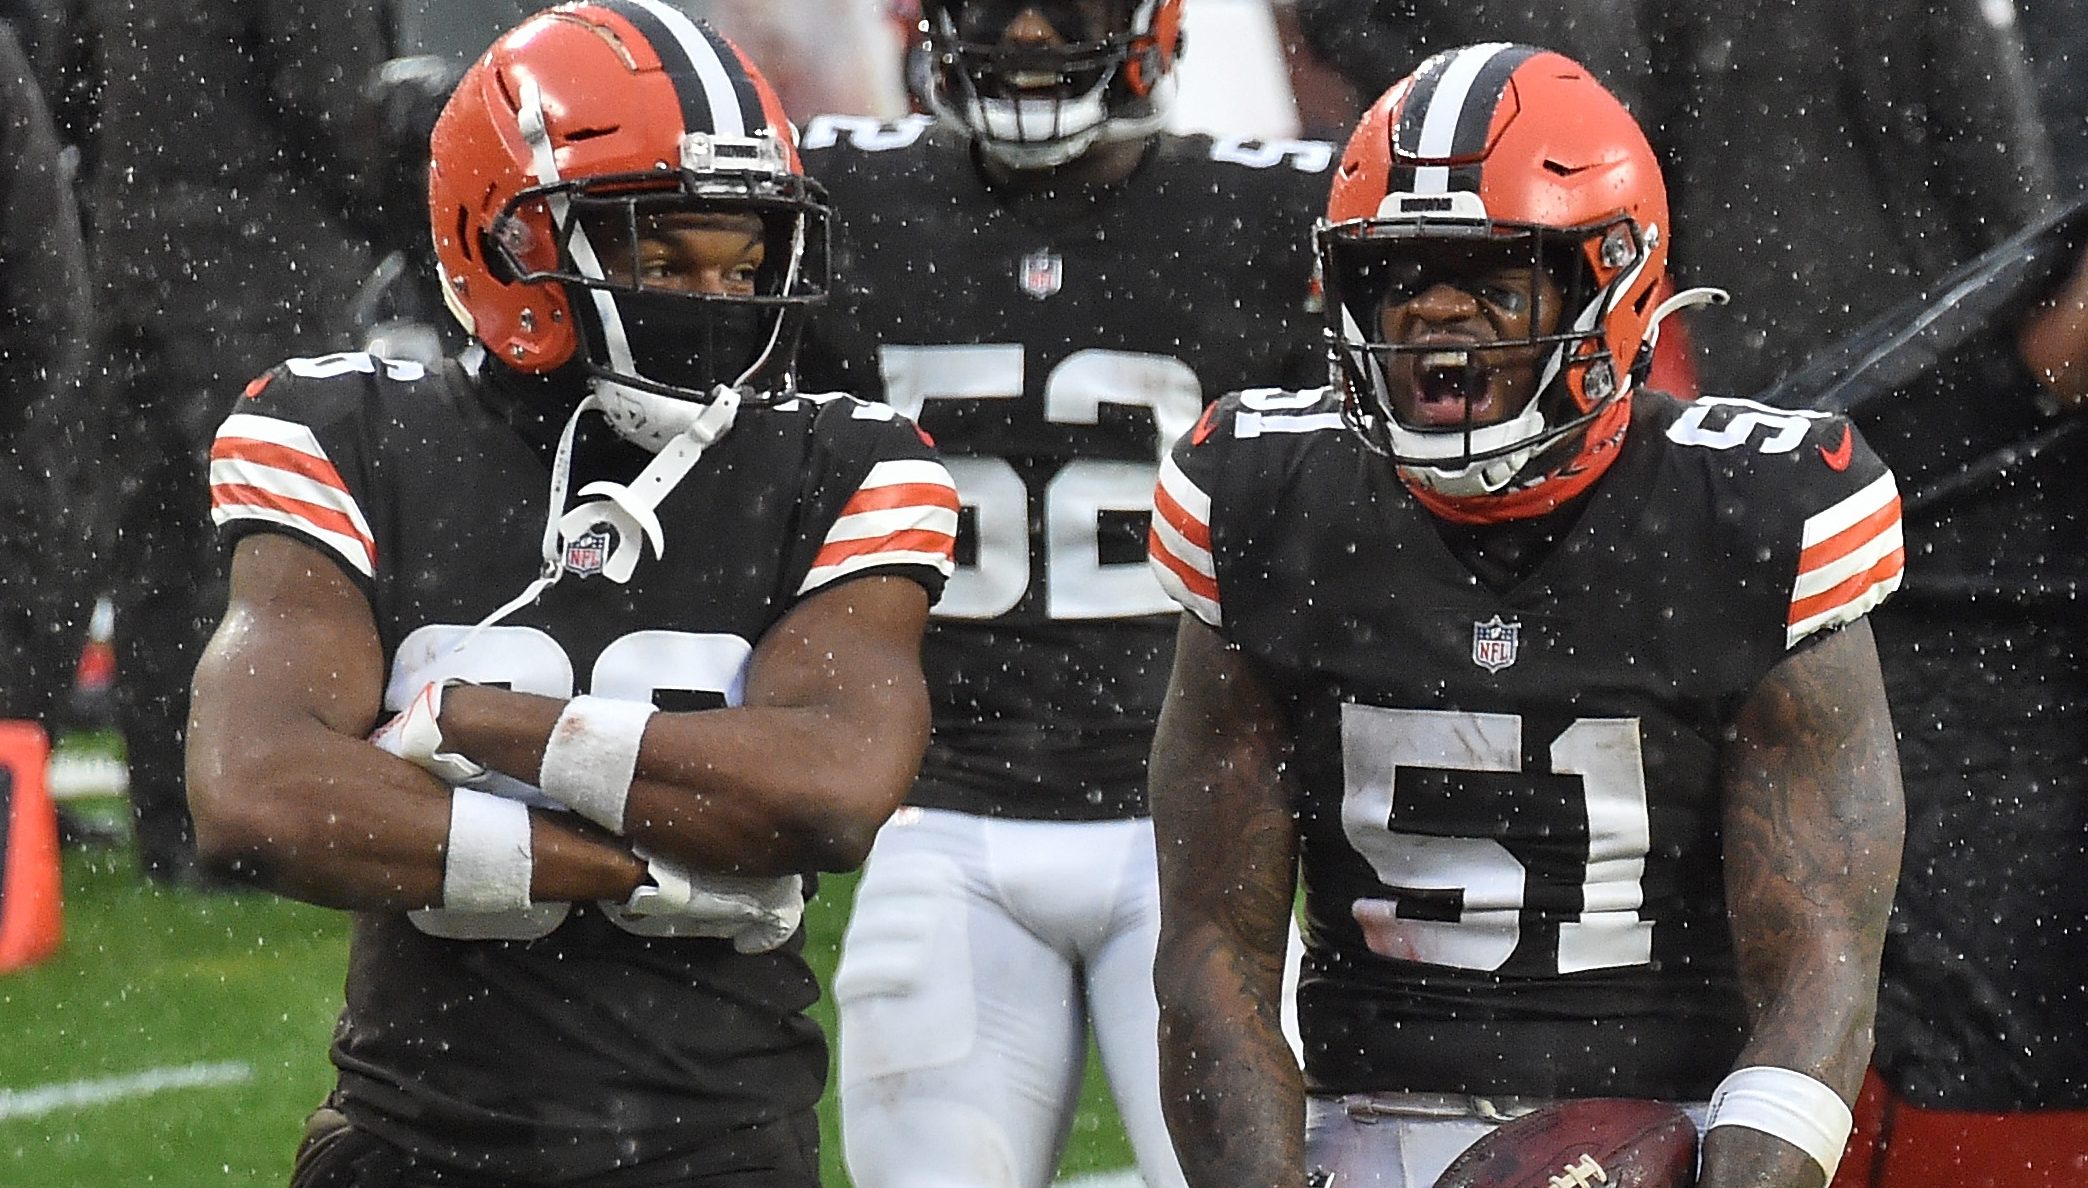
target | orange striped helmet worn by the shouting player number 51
[{"x": 1504, "y": 145}]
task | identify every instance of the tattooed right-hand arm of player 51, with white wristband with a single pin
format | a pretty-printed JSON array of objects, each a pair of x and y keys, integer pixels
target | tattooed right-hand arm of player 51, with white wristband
[{"x": 1813, "y": 828}]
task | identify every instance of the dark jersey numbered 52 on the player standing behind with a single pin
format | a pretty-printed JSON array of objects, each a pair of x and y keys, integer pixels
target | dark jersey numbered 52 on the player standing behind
[{"x": 1053, "y": 348}]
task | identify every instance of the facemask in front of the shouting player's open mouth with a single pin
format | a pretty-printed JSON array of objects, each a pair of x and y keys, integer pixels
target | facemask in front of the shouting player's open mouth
[{"x": 1559, "y": 366}]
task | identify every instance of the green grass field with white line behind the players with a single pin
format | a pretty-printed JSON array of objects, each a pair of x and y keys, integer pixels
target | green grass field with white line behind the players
[{"x": 181, "y": 1039}]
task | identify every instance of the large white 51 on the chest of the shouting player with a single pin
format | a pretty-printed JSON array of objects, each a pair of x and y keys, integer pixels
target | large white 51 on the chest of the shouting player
[{"x": 1475, "y": 886}]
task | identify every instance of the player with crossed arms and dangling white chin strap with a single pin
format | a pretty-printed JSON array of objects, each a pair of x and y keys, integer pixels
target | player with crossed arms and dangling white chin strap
[{"x": 619, "y": 734}]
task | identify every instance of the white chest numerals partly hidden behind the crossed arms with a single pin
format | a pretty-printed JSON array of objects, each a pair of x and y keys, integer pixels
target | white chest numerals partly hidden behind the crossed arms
[{"x": 529, "y": 661}]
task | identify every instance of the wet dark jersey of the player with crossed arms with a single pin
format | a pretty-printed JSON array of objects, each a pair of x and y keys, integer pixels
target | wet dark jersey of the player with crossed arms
[{"x": 561, "y": 1041}]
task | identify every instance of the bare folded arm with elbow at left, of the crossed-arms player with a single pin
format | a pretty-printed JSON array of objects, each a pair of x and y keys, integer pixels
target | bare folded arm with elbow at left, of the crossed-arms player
[{"x": 283, "y": 782}]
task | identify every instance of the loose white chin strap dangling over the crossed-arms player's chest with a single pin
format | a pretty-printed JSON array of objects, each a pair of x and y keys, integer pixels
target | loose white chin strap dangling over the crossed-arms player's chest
[{"x": 627, "y": 510}]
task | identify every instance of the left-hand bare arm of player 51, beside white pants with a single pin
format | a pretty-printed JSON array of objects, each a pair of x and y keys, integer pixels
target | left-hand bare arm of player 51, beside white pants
[{"x": 1229, "y": 872}]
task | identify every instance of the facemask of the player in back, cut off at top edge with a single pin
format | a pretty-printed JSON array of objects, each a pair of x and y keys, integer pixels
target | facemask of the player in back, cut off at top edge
[{"x": 1037, "y": 108}]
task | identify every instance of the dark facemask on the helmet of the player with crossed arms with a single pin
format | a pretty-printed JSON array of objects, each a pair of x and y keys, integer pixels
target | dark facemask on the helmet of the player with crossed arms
[{"x": 657, "y": 346}]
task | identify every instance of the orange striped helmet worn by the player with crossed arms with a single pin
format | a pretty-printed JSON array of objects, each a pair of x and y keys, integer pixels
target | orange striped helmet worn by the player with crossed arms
[{"x": 571, "y": 130}]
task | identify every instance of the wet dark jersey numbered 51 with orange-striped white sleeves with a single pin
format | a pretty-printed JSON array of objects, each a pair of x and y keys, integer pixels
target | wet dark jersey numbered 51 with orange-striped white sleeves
[{"x": 1509, "y": 799}]
